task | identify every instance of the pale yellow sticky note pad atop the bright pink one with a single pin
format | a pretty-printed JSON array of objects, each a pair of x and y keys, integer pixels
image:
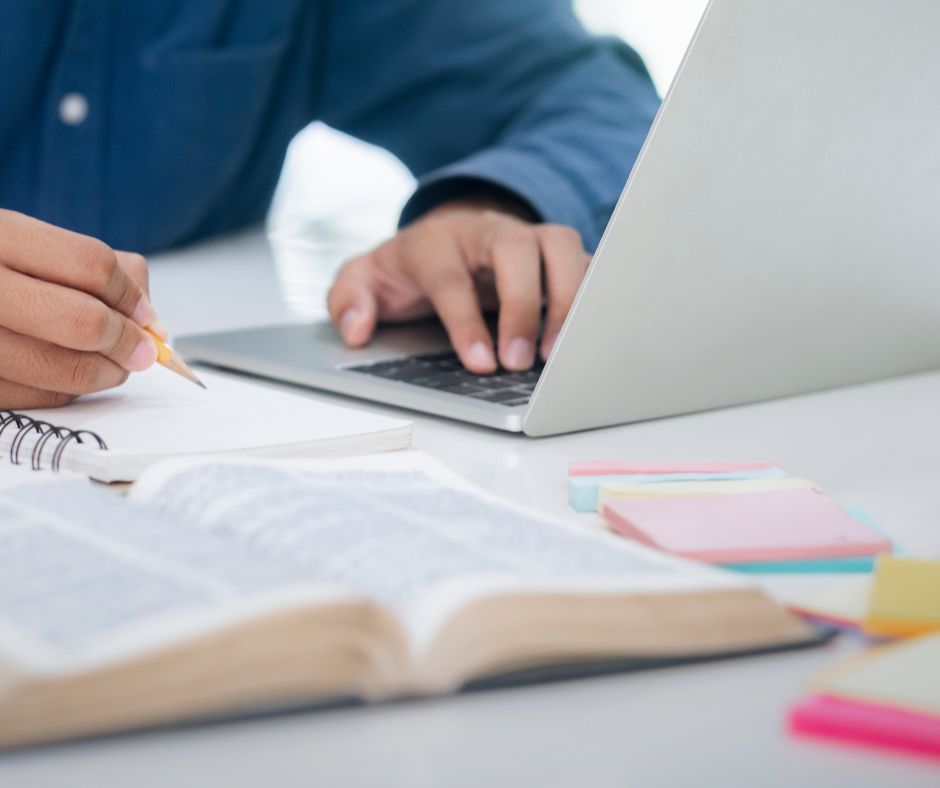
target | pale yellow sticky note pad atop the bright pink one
[{"x": 905, "y": 674}]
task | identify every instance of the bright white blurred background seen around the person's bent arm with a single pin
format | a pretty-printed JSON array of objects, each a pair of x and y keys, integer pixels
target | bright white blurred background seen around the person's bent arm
[{"x": 338, "y": 196}]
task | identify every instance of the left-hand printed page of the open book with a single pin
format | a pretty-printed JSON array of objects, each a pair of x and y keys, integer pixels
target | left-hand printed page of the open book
[{"x": 85, "y": 574}]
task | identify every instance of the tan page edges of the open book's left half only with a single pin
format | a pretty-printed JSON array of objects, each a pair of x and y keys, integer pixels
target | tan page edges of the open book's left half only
[{"x": 345, "y": 649}]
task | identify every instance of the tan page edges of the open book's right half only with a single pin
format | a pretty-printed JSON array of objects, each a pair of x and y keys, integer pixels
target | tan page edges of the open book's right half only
[{"x": 485, "y": 638}]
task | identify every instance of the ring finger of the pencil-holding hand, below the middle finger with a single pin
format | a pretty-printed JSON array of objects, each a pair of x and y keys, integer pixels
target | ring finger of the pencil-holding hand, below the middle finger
[{"x": 31, "y": 362}]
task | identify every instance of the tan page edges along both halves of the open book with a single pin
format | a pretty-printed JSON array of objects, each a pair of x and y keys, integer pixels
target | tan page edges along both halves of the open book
[{"x": 357, "y": 650}]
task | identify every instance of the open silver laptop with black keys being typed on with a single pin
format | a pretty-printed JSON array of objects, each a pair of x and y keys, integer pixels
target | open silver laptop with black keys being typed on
[{"x": 780, "y": 233}]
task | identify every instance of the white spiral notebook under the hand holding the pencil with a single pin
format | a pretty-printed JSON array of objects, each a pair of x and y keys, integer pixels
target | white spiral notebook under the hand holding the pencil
[{"x": 115, "y": 435}]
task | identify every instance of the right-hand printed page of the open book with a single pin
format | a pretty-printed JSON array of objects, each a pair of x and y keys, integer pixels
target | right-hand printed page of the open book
[{"x": 399, "y": 529}]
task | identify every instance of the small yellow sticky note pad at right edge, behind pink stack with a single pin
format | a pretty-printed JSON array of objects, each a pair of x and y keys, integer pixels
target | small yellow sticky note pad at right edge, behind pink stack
[{"x": 905, "y": 597}]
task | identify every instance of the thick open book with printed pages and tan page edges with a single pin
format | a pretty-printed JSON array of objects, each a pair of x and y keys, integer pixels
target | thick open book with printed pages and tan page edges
[{"x": 218, "y": 587}]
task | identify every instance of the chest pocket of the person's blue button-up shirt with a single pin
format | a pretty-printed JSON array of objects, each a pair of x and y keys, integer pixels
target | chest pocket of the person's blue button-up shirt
[{"x": 203, "y": 115}]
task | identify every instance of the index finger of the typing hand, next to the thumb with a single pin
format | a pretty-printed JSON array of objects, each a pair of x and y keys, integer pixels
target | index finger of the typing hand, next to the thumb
[{"x": 436, "y": 263}]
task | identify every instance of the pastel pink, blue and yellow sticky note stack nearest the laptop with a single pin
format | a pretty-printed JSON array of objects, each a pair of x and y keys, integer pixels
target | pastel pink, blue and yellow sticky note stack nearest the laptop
[{"x": 751, "y": 517}]
